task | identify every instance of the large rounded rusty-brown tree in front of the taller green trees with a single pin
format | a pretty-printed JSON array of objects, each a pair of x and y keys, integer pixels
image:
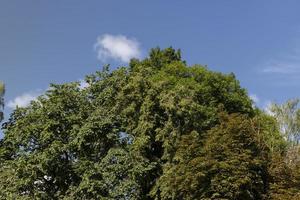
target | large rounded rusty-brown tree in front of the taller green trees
[{"x": 227, "y": 164}]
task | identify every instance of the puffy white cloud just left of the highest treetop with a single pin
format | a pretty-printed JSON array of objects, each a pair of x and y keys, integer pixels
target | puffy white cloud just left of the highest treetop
[{"x": 117, "y": 47}]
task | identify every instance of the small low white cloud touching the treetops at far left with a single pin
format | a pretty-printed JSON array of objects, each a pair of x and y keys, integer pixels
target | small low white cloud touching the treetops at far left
[{"x": 23, "y": 100}]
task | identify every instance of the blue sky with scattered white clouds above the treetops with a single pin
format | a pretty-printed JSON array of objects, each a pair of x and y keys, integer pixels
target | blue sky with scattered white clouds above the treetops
[{"x": 57, "y": 41}]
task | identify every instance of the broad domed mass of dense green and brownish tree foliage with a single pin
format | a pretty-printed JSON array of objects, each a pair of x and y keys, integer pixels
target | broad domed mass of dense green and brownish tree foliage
[{"x": 157, "y": 129}]
